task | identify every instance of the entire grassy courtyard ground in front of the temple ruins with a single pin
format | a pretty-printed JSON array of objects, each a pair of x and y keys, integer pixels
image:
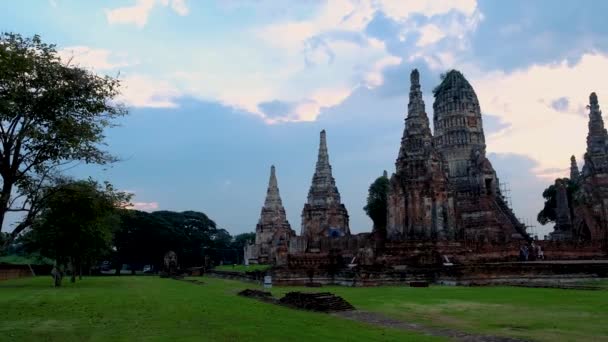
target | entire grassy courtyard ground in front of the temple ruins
[{"x": 151, "y": 308}]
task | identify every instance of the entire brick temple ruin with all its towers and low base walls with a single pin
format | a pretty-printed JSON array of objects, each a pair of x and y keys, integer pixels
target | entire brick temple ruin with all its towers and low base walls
[{"x": 445, "y": 207}]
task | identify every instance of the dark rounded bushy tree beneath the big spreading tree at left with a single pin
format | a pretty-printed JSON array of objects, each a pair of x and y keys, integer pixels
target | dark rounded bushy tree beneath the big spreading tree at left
[{"x": 76, "y": 225}]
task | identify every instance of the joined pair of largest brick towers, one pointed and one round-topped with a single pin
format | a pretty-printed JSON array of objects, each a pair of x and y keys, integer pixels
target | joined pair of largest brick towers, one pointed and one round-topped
[{"x": 445, "y": 187}]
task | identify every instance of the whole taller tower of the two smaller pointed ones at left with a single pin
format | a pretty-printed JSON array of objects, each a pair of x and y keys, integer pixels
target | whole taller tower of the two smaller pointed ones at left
[{"x": 323, "y": 214}]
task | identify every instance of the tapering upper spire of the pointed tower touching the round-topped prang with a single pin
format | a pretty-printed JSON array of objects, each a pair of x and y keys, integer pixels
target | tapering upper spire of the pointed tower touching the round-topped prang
[{"x": 417, "y": 133}]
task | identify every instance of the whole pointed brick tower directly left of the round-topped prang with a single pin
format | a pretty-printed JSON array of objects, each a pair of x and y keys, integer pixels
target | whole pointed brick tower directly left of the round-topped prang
[{"x": 420, "y": 205}]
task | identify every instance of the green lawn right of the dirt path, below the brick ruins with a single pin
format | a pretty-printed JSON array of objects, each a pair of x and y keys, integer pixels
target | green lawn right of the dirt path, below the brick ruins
[{"x": 530, "y": 313}]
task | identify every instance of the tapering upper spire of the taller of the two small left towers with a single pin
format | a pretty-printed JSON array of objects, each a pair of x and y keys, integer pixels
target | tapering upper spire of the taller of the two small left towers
[{"x": 323, "y": 189}]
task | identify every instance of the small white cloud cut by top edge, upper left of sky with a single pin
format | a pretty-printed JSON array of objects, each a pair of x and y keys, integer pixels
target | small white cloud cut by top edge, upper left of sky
[{"x": 138, "y": 13}]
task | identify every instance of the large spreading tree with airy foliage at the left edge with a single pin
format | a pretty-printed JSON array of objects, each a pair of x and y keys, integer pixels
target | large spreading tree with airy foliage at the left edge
[{"x": 52, "y": 114}]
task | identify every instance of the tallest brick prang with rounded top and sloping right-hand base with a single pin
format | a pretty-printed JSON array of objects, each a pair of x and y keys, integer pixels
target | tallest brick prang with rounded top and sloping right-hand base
[{"x": 482, "y": 214}]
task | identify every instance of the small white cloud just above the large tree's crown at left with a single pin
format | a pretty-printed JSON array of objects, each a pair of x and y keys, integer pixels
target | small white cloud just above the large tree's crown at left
[{"x": 96, "y": 59}]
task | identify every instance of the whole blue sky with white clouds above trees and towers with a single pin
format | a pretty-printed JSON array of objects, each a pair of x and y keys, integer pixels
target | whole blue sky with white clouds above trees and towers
[{"x": 218, "y": 91}]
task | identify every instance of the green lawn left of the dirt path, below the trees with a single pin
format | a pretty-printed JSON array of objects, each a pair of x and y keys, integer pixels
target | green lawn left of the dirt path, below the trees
[{"x": 149, "y": 308}]
